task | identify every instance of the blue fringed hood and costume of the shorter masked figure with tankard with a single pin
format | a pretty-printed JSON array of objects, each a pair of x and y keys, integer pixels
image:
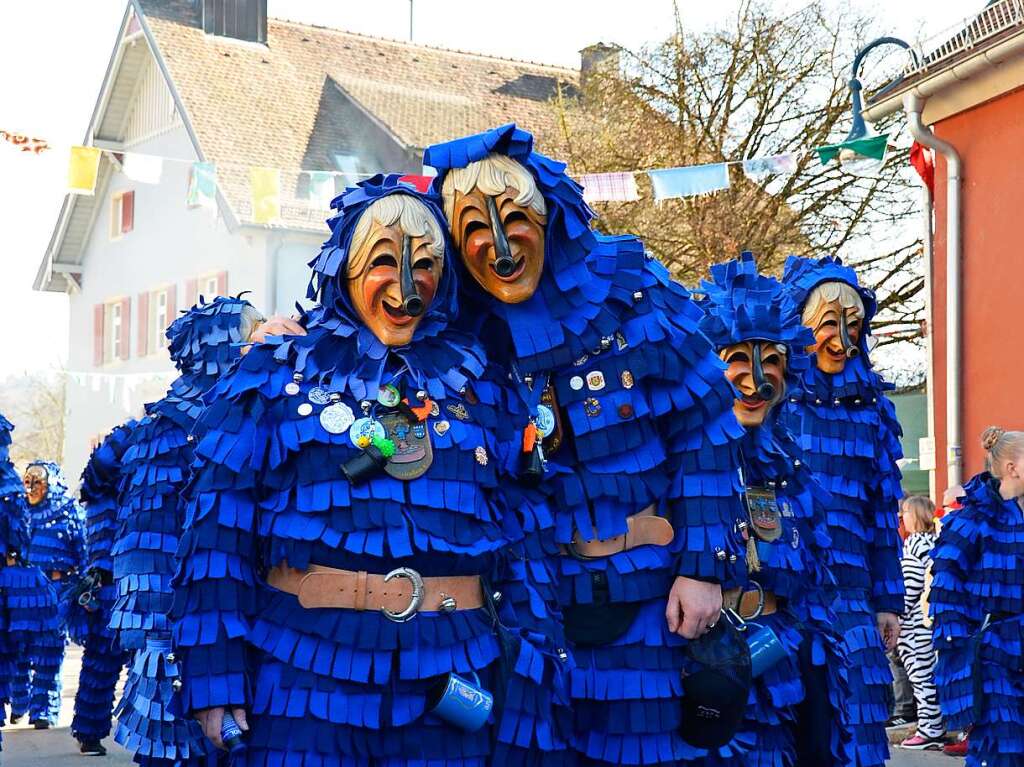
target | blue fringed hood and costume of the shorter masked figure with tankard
[{"x": 743, "y": 306}]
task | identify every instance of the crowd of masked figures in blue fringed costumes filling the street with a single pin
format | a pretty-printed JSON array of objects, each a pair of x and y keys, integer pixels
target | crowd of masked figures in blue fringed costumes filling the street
[{"x": 507, "y": 494}]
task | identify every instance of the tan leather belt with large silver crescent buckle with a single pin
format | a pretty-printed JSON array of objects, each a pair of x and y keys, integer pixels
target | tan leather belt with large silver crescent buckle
[{"x": 400, "y": 594}]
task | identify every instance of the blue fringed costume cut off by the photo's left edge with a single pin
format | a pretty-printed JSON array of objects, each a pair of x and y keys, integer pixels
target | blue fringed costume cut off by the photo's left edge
[{"x": 28, "y": 601}]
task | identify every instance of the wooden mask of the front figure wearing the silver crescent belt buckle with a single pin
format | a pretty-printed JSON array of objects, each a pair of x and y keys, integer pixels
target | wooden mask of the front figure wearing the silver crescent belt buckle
[{"x": 393, "y": 279}]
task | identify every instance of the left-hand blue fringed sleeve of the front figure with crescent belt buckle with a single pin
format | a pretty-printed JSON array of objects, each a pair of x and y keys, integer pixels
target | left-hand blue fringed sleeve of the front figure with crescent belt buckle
[{"x": 215, "y": 591}]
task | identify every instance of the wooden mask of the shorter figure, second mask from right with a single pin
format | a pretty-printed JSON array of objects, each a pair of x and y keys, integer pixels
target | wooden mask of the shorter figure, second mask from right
[{"x": 757, "y": 370}]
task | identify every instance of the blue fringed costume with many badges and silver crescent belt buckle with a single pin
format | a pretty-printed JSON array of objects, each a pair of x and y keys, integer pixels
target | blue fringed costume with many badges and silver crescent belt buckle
[{"x": 337, "y": 684}]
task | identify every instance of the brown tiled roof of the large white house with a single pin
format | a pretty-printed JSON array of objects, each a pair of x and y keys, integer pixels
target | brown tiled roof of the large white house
[{"x": 254, "y": 105}]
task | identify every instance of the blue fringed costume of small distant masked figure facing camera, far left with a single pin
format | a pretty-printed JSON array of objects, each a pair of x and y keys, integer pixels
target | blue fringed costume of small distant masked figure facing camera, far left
[{"x": 57, "y": 546}]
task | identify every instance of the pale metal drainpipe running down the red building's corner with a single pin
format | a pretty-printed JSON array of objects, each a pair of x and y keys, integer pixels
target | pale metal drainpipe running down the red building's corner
[{"x": 914, "y": 105}]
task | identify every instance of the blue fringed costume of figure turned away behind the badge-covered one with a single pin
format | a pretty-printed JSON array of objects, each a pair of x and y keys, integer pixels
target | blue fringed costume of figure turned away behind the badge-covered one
[{"x": 203, "y": 345}]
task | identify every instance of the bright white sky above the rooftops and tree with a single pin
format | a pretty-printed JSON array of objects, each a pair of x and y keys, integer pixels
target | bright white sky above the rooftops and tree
[{"x": 54, "y": 55}]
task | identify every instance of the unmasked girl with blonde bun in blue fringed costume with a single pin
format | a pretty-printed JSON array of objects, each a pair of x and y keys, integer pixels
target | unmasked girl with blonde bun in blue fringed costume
[{"x": 978, "y": 607}]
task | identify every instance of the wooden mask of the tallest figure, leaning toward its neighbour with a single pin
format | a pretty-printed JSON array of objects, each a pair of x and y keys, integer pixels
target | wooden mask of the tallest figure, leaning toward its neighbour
[{"x": 501, "y": 243}]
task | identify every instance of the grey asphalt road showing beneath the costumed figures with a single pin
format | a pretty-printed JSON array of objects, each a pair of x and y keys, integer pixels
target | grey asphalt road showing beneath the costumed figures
[{"x": 25, "y": 747}]
